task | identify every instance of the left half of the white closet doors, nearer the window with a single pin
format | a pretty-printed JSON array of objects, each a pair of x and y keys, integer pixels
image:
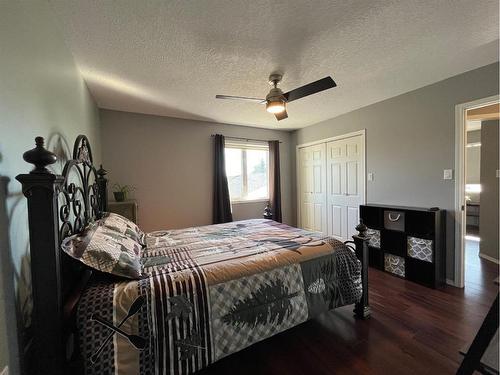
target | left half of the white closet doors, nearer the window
[{"x": 312, "y": 187}]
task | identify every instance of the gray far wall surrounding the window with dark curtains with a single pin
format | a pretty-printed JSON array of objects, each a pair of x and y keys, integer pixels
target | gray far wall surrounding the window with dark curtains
[{"x": 170, "y": 163}]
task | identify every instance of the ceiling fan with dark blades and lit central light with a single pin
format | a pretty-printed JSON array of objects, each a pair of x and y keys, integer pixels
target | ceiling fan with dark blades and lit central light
[{"x": 276, "y": 100}]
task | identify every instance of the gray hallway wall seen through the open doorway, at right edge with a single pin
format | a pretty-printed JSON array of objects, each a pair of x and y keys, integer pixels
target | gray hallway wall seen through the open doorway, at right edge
[{"x": 488, "y": 219}]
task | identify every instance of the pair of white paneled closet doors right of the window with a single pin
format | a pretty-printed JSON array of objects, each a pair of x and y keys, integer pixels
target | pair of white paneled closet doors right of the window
[{"x": 331, "y": 186}]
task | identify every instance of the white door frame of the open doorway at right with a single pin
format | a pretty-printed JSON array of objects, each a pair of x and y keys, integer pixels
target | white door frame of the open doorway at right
[{"x": 460, "y": 167}]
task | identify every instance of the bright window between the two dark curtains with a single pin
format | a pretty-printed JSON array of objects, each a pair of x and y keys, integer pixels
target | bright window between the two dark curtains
[{"x": 247, "y": 169}]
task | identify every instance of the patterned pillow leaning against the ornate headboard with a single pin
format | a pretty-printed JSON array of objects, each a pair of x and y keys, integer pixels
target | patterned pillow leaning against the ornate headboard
[{"x": 105, "y": 250}]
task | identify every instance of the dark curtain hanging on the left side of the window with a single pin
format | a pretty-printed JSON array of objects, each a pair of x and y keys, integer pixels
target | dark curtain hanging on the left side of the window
[{"x": 222, "y": 203}]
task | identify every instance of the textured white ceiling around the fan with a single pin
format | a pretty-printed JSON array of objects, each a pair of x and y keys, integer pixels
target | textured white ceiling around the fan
[{"x": 172, "y": 57}]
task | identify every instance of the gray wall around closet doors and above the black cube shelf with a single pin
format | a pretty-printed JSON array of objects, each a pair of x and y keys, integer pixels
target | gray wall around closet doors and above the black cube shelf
[{"x": 410, "y": 140}]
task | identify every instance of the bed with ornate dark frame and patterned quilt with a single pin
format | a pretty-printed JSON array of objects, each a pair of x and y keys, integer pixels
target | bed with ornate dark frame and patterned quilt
[{"x": 203, "y": 293}]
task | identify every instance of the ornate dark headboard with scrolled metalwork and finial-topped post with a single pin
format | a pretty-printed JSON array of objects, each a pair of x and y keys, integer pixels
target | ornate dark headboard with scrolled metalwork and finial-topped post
[{"x": 58, "y": 206}]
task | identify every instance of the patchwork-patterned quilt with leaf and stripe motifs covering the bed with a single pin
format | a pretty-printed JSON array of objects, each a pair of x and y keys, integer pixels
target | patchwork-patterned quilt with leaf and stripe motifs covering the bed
[{"x": 211, "y": 291}]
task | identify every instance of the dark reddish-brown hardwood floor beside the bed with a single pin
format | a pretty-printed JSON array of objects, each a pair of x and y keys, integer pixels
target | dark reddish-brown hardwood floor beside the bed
[{"x": 413, "y": 330}]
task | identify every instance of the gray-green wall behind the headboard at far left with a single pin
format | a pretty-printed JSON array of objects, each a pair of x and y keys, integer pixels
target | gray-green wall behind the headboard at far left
[{"x": 41, "y": 93}]
